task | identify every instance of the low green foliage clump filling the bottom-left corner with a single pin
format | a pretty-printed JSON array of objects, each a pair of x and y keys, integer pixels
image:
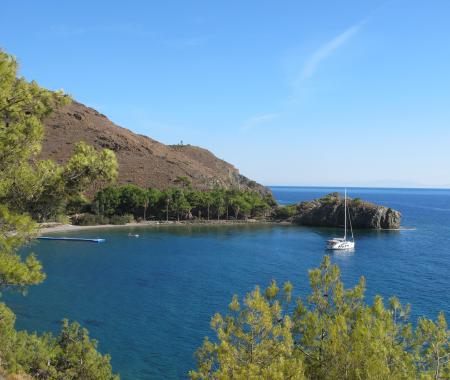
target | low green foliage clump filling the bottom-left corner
[{"x": 70, "y": 355}]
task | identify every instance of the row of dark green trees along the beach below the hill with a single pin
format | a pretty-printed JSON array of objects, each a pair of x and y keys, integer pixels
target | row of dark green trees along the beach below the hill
[{"x": 116, "y": 204}]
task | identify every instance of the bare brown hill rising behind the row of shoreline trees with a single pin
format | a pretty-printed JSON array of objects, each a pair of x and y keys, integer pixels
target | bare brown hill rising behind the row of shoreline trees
[{"x": 142, "y": 160}]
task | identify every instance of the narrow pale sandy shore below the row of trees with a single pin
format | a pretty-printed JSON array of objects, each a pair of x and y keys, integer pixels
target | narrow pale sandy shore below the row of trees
[{"x": 55, "y": 227}]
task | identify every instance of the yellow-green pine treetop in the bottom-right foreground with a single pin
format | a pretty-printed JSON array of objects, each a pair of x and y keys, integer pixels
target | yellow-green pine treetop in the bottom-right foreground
[{"x": 333, "y": 335}]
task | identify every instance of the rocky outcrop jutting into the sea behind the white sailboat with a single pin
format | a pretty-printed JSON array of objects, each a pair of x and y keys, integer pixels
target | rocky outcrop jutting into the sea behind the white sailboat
[{"x": 329, "y": 212}]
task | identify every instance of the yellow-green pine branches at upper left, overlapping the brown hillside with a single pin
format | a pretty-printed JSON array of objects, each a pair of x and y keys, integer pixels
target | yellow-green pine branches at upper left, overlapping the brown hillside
[{"x": 40, "y": 188}]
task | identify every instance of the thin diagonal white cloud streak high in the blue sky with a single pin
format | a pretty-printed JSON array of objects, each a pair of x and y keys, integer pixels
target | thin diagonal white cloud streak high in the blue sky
[{"x": 327, "y": 49}]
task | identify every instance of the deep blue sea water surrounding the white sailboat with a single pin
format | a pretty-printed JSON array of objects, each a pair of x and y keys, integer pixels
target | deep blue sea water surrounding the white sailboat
[{"x": 149, "y": 300}]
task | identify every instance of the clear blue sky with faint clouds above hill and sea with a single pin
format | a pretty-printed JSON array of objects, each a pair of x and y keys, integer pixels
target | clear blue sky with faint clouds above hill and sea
[{"x": 330, "y": 93}]
